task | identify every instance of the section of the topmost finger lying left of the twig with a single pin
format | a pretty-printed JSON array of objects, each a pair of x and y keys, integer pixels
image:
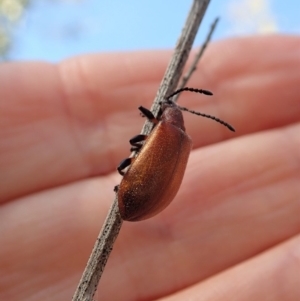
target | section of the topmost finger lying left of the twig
[{"x": 64, "y": 127}]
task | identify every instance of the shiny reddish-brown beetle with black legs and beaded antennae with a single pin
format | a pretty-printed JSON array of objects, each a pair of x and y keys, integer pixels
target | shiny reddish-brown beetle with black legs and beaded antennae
[{"x": 155, "y": 174}]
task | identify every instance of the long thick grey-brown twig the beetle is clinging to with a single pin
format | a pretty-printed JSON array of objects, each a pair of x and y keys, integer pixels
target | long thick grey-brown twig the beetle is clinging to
[{"x": 112, "y": 225}]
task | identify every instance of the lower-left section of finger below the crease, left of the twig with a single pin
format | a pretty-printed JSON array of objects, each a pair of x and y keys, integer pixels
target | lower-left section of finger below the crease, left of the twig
[{"x": 46, "y": 239}]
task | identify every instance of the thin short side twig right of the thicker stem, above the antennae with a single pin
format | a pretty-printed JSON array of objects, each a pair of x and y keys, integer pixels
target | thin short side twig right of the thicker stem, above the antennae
[{"x": 199, "y": 54}]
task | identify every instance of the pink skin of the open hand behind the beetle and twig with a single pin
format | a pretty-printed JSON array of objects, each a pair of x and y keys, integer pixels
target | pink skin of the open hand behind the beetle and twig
[{"x": 232, "y": 231}]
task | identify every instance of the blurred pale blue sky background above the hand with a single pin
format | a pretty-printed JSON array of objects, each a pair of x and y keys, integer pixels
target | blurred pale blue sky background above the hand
[{"x": 52, "y": 30}]
